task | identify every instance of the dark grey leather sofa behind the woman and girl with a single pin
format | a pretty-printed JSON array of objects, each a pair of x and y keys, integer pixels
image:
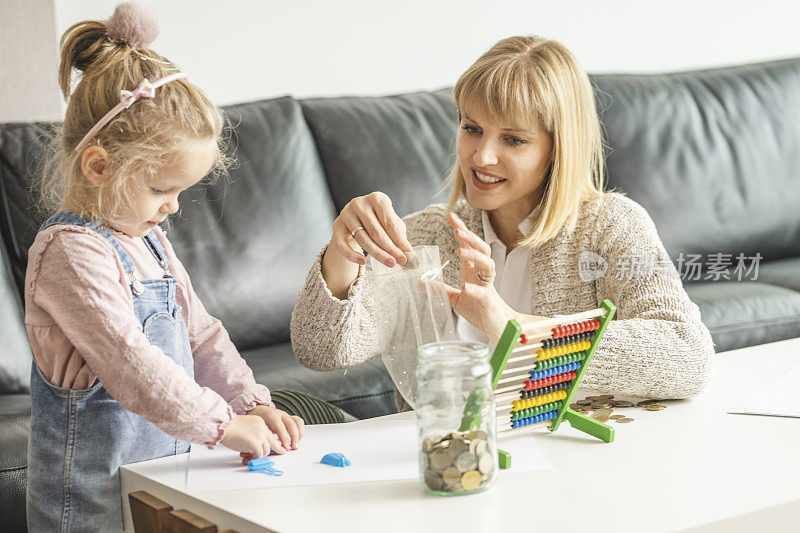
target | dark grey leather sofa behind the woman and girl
[{"x": 713, "y": 155}]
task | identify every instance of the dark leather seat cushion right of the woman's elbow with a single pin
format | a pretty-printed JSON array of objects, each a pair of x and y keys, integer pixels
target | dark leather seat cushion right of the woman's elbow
[{"x": 746, "y": 313}]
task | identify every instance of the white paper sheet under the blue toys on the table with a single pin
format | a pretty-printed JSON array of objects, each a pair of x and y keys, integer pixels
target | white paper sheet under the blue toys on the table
[{"x": 379, "y": 450}]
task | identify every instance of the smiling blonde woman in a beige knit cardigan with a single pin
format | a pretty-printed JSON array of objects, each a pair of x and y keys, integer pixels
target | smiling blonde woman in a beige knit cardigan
[{"x": 526, "y": 208}]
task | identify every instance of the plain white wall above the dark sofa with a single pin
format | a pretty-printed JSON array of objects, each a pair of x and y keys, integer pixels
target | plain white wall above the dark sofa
[{"x": 251, "y": 49}]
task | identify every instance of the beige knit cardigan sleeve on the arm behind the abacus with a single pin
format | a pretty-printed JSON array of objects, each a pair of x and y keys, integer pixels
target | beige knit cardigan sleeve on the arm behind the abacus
[{"x": 657, "y": 346}]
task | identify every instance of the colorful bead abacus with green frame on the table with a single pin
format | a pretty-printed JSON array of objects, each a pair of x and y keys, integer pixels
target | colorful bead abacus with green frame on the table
[{"x": 537, "y": 367}]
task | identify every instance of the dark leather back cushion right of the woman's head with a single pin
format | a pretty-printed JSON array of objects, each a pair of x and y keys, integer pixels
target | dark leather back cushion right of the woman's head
[{"x": 711, "y": 154}]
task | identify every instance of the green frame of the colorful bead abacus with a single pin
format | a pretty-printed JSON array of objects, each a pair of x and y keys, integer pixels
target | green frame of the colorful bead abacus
[{"x": 577, "y": 420}]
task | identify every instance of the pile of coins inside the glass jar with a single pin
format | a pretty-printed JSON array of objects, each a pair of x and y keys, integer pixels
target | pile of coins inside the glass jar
[{"x": 460, "y": 461}]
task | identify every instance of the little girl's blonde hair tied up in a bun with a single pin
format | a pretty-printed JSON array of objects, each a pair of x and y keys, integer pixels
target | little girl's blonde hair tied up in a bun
[{"x": 138, "y": 140}]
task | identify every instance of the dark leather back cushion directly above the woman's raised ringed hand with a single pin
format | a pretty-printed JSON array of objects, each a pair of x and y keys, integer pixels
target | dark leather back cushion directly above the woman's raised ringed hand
[{"x": 400, "y": 145}]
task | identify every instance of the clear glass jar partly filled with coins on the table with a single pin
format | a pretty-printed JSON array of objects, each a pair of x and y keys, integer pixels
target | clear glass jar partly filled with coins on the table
[{"x": 456, "y": 418}]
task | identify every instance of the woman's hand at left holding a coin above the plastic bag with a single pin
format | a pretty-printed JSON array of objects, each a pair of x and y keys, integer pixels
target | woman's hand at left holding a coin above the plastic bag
[{"x": 383, "y": 237}]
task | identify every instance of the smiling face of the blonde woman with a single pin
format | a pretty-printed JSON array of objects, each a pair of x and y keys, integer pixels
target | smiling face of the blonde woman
[{"x": 504, "y": 167}]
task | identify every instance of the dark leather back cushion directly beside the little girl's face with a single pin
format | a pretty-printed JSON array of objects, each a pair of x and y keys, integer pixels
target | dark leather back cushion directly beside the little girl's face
[{"x": 247, "y": 241}]
